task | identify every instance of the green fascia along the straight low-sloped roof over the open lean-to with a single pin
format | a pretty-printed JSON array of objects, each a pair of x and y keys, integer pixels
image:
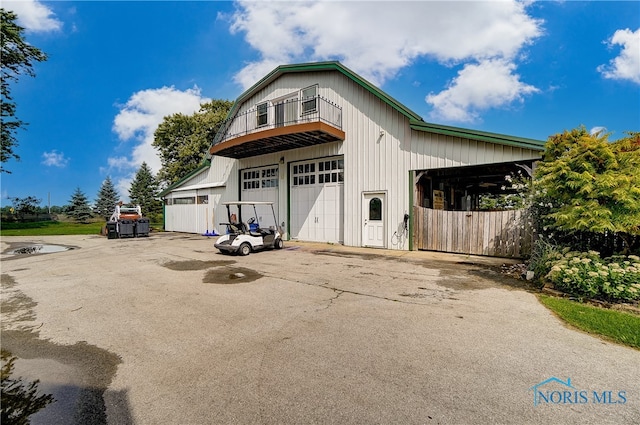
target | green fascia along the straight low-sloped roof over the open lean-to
[{"x": 502, "y": 139}]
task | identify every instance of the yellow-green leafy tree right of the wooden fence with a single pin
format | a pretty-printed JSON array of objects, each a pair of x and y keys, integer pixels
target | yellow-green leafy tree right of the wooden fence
[{"x": 587, "y": 184}]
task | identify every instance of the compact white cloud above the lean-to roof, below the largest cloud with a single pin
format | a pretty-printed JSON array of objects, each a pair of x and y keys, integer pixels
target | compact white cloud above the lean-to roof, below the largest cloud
[{"x": 478, "y": 87}]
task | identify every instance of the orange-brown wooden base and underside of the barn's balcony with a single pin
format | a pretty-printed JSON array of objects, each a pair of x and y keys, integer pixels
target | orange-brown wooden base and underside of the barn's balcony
[{"x": 278, "y": 139}]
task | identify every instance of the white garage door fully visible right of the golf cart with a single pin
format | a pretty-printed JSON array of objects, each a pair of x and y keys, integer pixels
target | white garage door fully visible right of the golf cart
[{"x": 317, "y": 192}]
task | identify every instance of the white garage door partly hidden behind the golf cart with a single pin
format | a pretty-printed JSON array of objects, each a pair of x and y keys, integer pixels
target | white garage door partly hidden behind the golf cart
[{"x": 260, "y": 184}]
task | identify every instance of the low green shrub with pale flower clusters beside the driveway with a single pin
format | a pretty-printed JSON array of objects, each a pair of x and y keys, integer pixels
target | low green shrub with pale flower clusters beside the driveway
[{"x": 586, "y": 275}]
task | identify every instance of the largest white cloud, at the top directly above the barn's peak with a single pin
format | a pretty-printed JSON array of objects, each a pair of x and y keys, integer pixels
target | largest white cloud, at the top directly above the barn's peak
[{"x": 377, "y": 39}]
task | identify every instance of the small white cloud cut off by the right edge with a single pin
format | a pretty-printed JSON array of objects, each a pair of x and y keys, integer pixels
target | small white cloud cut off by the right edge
[{"x": 625, "y": 66}]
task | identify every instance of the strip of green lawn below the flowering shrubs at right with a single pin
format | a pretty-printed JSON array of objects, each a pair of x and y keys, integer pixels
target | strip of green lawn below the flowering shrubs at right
[{"x": 617, "y": 326}]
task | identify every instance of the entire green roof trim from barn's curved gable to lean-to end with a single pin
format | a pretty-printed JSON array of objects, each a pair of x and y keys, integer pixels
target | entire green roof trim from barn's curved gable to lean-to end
[{"x": 415, "y": 121}]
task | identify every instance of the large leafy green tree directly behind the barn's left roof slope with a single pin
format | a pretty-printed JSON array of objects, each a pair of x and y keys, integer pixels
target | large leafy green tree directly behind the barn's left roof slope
[{"x": 183, "y": 140}]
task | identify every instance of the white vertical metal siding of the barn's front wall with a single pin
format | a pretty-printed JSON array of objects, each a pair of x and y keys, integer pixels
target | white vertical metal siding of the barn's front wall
[{"x": 370, "y": 164}]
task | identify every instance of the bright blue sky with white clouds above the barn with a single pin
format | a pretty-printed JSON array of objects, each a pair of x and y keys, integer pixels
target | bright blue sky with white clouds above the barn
[{"x": 115, "y": 69}]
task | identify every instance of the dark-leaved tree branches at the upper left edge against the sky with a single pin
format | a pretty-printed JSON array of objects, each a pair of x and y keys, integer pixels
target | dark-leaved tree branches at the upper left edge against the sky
[{"x": 18, "y": 58}]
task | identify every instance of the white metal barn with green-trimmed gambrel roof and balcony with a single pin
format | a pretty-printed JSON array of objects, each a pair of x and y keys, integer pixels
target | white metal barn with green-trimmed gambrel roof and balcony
[{"x": 343, "y": 161}]
